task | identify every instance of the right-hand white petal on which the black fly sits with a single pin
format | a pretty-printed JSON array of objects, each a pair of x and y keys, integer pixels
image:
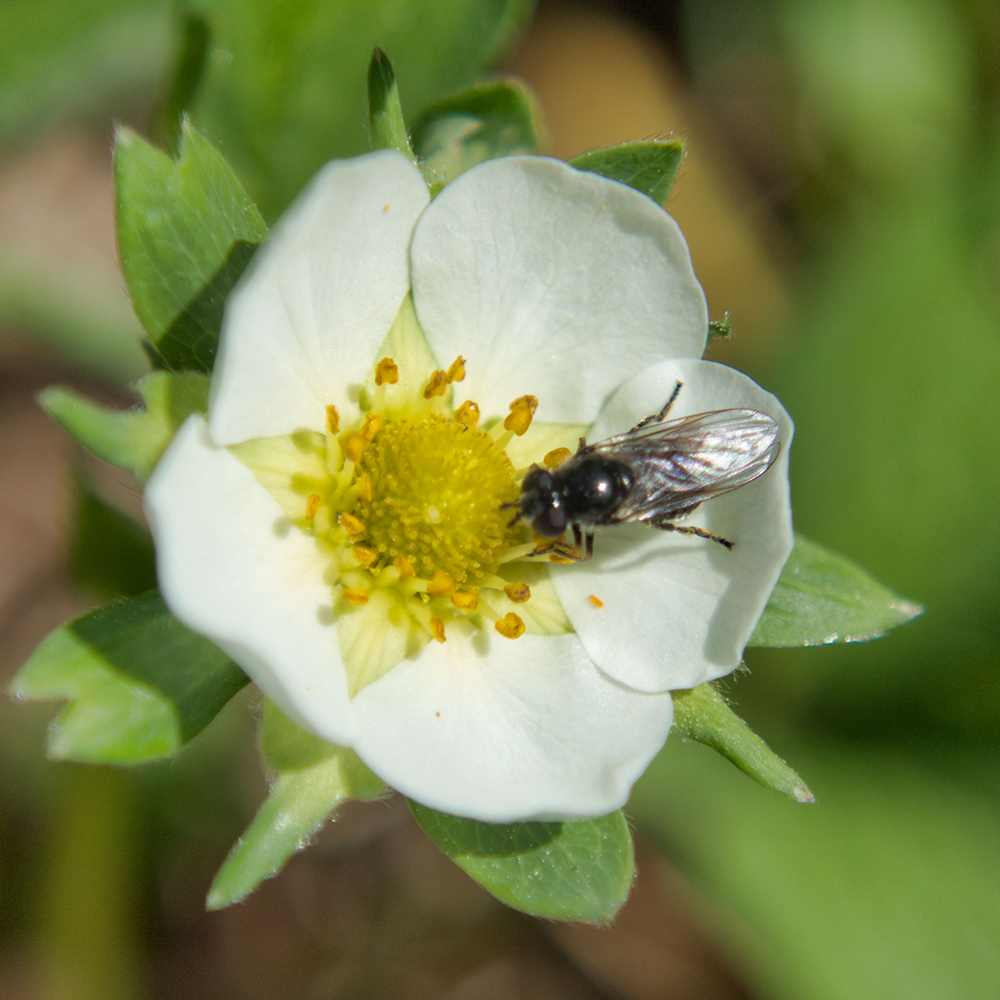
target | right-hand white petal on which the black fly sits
[{"x": 678, "y": 610}]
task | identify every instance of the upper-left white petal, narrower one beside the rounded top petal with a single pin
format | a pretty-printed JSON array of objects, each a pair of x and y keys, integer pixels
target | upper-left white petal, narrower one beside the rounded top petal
[{"x": 304, "y": 324}]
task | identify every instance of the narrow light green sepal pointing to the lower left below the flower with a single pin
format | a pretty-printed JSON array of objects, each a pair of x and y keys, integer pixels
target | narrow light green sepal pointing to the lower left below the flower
[{"x": 310, "y": 779}]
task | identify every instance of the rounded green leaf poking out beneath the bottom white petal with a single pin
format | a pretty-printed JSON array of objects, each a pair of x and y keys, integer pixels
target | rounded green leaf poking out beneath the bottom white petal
[{"x": 580, "y": 870}]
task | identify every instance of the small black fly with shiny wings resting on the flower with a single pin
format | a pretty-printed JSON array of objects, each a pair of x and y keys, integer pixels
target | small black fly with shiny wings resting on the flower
[{"x": 656, "y": 473}]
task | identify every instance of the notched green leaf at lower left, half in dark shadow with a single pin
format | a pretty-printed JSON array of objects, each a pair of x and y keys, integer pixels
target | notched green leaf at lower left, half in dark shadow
[{"x": 140, "y": 684}]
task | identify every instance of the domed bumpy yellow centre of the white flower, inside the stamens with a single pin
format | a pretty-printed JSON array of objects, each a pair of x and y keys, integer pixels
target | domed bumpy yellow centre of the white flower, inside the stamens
[{"x": 437, "y": 492}]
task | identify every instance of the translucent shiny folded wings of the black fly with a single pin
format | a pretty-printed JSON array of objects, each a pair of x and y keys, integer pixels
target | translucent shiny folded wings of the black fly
[{"x": 679, "y": 464}]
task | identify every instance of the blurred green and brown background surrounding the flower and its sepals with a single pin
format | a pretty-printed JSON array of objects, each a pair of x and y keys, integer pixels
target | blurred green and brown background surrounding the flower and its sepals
[{"x": 842, "y": 200}]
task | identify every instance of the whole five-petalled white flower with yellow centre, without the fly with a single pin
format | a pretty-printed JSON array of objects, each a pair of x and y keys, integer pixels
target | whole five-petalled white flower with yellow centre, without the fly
[{"x": 326, "y": 526}]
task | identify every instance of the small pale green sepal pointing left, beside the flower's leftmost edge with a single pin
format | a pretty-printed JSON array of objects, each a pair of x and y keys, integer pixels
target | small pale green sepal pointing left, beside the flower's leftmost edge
[{"x": 134, "y": 439}]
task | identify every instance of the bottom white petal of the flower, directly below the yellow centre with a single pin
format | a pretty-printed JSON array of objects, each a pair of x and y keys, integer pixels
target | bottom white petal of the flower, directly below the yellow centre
[{"x": 504, "y": 730}]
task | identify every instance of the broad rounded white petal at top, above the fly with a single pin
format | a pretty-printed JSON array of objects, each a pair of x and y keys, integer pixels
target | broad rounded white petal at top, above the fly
[{"x": 552, "y": 281}]
